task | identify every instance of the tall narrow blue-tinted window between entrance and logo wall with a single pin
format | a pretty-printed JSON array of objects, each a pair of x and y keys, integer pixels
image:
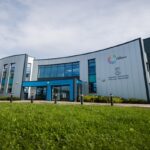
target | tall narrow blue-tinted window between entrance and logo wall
[{"x": 92, "y": 75}]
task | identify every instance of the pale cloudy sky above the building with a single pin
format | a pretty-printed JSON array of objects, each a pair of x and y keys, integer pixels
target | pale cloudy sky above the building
[{"x": 57, "y": 28}]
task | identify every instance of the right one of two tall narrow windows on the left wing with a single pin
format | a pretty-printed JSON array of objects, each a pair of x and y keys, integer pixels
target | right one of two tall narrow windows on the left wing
[{"x": 11, "y": 78}]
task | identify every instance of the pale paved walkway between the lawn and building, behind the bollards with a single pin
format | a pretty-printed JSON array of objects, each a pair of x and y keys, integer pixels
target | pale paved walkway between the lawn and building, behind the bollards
[{"x": 78, "y": 103}]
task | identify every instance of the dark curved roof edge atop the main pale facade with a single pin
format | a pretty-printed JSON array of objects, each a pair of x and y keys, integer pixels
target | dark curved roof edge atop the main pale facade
[{"x": 89, "y": 52}]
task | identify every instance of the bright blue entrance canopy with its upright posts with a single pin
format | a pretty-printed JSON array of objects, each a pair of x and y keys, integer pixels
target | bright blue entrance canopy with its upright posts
[{"x": 51, "y": 84}]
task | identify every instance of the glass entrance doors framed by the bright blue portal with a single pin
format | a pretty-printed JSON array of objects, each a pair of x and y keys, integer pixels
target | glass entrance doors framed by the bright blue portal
[{"x": 61, "y": 93}]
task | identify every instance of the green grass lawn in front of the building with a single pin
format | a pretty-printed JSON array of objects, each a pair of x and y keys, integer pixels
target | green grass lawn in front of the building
[{"x": 44, "y": 126}]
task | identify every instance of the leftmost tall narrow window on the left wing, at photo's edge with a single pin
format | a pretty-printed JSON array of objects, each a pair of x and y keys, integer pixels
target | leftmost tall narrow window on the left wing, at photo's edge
[{"x": 3, "y": 81}]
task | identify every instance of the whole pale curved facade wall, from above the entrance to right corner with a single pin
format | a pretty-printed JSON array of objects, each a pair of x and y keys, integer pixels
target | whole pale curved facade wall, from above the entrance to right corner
[{"x": 132, "y": 84}]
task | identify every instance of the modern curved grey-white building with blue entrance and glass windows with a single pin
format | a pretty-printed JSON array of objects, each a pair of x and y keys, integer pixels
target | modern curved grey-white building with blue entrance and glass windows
[{"x": 122, "y": 70}]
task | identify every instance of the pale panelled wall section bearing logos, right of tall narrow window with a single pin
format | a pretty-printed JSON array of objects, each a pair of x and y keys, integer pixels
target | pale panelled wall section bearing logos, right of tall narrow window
[{"x": 133, "y": 86}]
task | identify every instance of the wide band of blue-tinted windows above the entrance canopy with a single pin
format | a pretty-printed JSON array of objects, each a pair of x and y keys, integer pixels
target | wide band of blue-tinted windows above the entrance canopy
[{"x": 59, "y": 70}]
